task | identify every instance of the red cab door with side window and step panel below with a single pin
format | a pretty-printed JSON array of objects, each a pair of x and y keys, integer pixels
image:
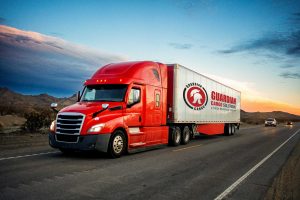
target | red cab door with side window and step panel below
[{"x": 133, "y": 118}]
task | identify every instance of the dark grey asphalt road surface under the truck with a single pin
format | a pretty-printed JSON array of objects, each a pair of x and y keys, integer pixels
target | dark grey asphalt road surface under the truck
[{"x": 203, "y": 169}]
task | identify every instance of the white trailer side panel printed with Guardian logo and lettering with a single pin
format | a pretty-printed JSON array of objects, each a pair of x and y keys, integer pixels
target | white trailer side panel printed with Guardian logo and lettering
[{"x": 199, "y": 99}]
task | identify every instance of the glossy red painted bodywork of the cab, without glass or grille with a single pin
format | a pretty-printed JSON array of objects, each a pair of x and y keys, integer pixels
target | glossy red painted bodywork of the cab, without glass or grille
[{"x": 146, "y": 115}]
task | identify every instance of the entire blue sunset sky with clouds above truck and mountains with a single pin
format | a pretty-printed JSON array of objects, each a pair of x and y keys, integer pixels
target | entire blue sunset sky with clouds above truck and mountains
[{"x": 250, "y": 45}]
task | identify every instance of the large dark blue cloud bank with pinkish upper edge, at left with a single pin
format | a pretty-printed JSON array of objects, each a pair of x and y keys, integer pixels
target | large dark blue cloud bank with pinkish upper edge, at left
[{"x": 31, "y": 61}]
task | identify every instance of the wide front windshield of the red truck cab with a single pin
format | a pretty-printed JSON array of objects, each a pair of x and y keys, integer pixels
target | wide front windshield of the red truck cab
[{"x": 104, "y": 93}]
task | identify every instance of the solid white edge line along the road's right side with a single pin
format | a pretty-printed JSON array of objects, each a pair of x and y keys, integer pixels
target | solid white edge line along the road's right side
[{"x": 241, "y": 179}]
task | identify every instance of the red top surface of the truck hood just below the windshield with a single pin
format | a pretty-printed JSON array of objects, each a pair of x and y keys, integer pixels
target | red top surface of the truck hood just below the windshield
[{"x": 89, "y": 108}]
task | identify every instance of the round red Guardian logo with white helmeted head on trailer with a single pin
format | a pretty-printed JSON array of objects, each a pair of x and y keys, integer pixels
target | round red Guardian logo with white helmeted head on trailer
[{"x": 195, "y": 96}]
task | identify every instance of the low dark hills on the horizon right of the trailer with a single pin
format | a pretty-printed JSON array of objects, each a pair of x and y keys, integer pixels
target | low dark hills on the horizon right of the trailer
[{"x": 259, "y": 117}]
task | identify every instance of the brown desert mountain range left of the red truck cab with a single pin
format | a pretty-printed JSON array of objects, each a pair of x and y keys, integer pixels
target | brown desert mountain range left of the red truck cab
[{"x": 16, "y": 103}]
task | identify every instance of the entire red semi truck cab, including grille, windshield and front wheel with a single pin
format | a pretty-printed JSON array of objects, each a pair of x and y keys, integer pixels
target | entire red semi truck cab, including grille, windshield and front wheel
[{"x": 122, "y": 108}]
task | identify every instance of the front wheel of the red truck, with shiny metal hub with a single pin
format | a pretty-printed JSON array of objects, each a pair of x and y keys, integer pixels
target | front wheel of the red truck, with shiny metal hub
[{"x": 117, "y": 144}]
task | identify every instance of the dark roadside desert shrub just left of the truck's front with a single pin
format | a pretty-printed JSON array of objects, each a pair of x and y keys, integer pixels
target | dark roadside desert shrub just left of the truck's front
[{"x": 37, "y": 120}]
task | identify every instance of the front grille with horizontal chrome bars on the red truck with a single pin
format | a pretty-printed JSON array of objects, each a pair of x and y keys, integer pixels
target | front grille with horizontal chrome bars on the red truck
[{"x": 69, "y": 123}]
